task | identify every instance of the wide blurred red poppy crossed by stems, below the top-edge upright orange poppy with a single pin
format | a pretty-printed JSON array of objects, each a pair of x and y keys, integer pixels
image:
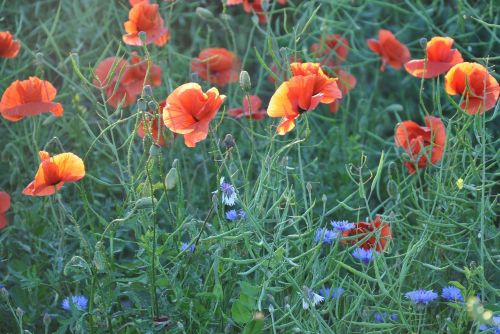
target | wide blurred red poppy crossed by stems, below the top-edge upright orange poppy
[{"x": 122, "y": 81}]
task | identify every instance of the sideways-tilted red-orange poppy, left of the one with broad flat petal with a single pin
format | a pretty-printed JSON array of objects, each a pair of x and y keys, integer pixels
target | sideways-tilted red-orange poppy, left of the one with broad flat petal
[{"x": 392, "y": 51}]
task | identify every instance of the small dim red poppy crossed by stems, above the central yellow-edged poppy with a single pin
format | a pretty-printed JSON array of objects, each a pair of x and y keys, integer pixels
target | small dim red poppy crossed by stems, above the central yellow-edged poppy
[{"x": 335, "y": 45}]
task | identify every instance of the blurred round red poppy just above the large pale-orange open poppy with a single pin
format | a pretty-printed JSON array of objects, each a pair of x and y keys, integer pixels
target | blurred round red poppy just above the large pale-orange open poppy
[{"x": 219, "y": 66}]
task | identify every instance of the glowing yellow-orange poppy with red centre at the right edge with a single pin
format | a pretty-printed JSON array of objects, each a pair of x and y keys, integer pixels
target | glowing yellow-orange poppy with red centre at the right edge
[{"x": 478, "y": 88}]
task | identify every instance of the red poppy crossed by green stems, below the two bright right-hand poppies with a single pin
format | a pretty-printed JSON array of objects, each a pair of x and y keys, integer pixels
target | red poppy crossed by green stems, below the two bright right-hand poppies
[{"x": 416, "y": 140}]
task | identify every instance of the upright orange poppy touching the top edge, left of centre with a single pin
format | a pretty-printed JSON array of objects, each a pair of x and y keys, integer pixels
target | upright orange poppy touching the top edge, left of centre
[{"x": 145, "y": 17}]
